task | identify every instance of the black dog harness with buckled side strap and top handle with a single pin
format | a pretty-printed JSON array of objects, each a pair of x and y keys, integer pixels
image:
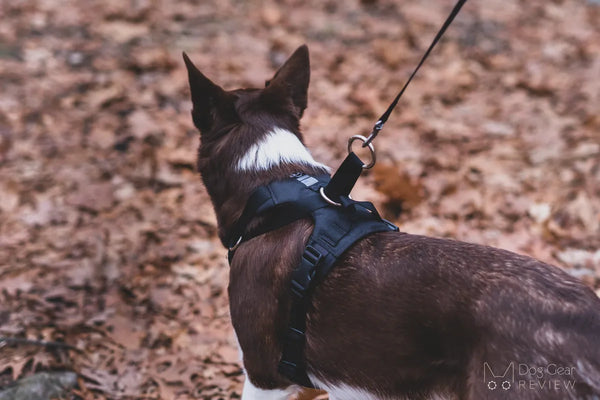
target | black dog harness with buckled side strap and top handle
[{"x": 337, "y": 226}]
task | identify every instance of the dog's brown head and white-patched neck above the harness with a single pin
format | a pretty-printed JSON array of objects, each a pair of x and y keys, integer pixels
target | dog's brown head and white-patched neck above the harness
[{"x": 249, "y": 137}]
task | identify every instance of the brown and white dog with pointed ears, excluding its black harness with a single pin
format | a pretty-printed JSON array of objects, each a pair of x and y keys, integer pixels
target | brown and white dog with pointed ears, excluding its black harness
[{"x": 400, "y": 316}]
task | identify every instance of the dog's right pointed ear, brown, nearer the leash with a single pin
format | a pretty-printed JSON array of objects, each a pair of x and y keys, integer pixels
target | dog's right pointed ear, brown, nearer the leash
[{"x": 292, "y": 80}]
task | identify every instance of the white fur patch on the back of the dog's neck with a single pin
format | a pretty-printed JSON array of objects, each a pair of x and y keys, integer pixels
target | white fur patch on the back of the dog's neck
[{"x": 279, "y": 146}]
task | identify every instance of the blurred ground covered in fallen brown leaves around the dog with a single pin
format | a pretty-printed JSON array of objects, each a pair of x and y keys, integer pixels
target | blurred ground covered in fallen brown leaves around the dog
[{"x": 109, "y": 262}]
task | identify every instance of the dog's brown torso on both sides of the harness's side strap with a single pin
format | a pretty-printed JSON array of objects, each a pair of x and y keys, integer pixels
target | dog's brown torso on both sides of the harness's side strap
[{"x": 405, "y": 316}]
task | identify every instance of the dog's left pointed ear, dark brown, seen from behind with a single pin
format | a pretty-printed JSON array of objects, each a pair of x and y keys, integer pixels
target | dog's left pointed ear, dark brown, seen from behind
[{"x": 206, "y": 96}]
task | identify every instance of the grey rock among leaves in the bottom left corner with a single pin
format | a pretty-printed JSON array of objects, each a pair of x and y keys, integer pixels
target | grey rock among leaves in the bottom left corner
[{"x": 41, "y": 386}]
